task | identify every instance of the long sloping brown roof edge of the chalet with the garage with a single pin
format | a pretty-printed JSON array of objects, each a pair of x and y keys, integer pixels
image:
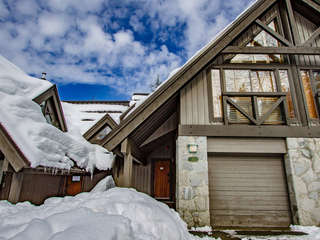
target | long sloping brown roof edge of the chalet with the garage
[{"x": 185, "y": 73}]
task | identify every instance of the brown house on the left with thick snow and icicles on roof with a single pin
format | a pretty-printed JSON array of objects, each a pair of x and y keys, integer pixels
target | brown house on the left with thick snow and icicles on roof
[{"x": 39, "y": 156}]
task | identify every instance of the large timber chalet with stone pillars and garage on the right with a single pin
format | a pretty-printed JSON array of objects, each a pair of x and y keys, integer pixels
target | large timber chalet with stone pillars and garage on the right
[{"x": 233, "y": 137}]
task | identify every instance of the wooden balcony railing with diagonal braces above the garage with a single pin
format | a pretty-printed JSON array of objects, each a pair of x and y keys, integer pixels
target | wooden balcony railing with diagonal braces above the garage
[{"x": 255, "y": 108}]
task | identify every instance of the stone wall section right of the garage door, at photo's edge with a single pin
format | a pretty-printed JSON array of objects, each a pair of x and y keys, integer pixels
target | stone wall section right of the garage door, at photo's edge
[{"x": 303, "y": 172}]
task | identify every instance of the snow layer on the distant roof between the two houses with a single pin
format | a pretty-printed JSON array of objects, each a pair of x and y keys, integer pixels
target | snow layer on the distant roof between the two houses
[{"x": 85, "y": 115}]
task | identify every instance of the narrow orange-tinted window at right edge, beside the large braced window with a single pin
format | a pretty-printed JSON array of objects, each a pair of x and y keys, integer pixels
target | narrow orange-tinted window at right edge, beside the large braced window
[{"x": 311, "y": 87}]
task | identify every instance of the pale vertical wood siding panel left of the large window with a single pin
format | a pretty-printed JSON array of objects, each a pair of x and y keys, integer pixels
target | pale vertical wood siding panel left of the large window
[{"x": 194, "y": 107}]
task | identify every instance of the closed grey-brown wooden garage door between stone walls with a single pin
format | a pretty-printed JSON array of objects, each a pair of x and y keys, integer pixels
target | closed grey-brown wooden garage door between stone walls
[{"x": 248, "y": 192}]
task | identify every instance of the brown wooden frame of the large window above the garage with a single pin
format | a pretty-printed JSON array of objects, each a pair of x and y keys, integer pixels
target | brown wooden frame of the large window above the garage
[{"x": 240, "y": 66}]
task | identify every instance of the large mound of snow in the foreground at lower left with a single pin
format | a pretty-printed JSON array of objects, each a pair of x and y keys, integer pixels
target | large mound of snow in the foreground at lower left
[{"x": 118, "y": 213}]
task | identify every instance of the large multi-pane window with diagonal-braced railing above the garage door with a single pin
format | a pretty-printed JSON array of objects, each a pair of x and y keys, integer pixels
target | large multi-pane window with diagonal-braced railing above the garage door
[{"x": 252, "y": 96}]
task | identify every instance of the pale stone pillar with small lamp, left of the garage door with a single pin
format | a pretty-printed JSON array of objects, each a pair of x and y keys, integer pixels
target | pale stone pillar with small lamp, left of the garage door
[{"x": 192, "y": 193}]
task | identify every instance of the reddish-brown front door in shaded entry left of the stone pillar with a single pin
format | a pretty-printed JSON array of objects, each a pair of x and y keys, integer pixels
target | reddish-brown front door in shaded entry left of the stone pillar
[{"x": 162, "y": 179}]
